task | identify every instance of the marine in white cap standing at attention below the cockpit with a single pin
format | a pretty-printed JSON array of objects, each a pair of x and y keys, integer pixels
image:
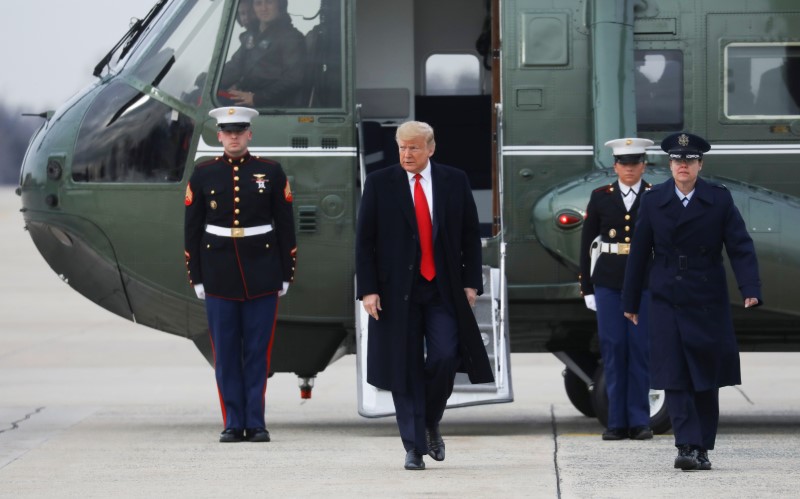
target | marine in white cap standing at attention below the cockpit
[{"x": 240, "y": 254}]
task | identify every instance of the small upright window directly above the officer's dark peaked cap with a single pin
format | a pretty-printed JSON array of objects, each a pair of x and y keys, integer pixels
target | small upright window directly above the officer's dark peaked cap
[{"x": 659, "y": 89}]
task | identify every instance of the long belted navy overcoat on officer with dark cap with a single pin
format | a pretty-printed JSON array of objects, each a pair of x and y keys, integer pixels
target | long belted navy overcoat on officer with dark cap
[{"x": 690, "y": 328}]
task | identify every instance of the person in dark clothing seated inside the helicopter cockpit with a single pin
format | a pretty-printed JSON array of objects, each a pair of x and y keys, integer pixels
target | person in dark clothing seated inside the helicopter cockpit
[{"x": 268, "y": 68}]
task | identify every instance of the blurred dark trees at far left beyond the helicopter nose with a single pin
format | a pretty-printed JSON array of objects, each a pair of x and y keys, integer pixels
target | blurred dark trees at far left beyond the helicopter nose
[{"x": 15, "y": 133}]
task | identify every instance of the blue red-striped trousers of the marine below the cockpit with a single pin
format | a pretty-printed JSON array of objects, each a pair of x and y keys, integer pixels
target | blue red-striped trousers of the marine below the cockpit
[{"x": 241, "y": 336}]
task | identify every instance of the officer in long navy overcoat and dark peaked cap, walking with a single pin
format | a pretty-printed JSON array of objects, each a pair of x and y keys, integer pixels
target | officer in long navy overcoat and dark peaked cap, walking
[{"x": 683, "y": 225}]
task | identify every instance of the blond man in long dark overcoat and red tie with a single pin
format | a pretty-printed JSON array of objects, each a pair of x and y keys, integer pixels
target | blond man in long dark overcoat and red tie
[{"x": 418, "y": 269}]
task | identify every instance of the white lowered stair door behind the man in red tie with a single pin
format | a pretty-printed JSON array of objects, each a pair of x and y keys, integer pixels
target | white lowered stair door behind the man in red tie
[{"x": 491, "y": 315}]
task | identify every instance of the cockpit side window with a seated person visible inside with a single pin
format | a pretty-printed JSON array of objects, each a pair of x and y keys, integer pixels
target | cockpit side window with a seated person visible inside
[{"x": 283, "y": 55}]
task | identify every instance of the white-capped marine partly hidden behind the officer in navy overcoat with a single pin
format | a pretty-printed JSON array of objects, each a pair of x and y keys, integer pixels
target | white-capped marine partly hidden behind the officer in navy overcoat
[{"x": 607, "y": 231}]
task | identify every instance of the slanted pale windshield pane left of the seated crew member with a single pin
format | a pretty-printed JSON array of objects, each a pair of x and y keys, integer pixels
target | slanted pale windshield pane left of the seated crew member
[{"x": 177, "y": 62}]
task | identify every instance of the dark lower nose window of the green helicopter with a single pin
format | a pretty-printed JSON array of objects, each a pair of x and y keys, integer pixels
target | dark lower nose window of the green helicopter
[{"x": 126, "y": 136}]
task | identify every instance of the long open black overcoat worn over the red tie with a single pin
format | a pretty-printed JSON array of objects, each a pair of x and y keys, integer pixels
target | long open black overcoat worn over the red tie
[{"x": 388, "y": 259}]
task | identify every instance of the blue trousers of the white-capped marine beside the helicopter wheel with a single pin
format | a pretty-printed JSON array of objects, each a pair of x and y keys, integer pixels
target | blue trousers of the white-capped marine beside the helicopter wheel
[{"x": 626, "y": 361}]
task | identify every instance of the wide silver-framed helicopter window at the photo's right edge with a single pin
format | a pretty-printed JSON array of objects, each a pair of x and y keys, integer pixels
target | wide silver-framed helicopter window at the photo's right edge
[{"x": 764, "y": 53}]
